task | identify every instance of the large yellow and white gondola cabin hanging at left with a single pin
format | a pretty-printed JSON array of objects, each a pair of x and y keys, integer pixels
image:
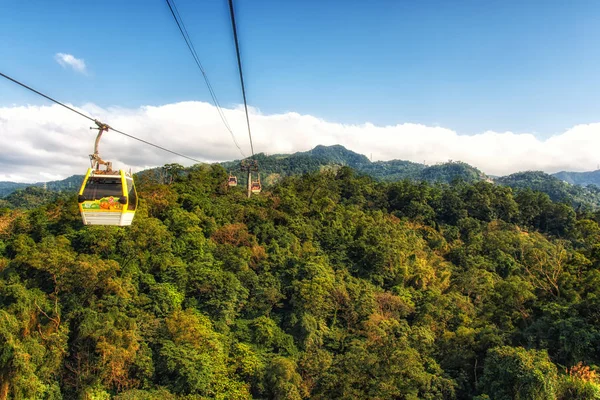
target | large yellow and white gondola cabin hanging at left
[{"x": 107, "y": 198}]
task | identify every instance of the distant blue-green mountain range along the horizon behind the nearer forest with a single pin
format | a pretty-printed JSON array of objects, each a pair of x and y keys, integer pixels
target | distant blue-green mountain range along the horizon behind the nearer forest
[{"x": 275, "y": 167}]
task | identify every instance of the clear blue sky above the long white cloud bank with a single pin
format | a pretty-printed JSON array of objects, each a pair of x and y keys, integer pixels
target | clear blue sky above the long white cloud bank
[{"x": 470, "y": 66}]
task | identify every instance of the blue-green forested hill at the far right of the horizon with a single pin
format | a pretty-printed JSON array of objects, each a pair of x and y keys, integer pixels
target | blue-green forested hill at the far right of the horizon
[{"x": 558, "y": 190}]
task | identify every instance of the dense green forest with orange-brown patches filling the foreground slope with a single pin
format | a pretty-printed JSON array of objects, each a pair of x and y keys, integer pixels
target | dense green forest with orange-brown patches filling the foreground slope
[{"x": 330, "y": 285}]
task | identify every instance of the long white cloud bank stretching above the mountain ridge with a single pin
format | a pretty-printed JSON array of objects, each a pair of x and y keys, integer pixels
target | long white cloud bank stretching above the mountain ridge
[{"x": 43, "y": 141}]
